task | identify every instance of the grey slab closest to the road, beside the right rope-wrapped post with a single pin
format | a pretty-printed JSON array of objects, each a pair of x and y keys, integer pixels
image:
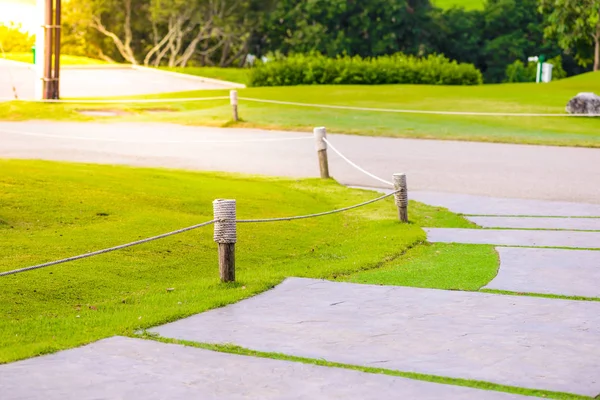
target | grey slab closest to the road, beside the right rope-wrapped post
[{"x": 482, "y": 205}]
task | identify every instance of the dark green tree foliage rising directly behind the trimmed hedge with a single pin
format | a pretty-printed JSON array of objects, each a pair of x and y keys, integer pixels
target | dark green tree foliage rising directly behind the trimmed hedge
[{"x": 334, "y": 27}]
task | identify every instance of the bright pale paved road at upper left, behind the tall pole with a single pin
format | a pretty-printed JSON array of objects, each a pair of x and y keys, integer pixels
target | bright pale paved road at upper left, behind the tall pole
[{"x": 98, "y": 82}]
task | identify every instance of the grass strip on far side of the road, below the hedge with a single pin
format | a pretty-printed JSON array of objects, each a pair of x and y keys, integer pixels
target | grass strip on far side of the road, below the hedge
[{"x": 517, "y": 98}]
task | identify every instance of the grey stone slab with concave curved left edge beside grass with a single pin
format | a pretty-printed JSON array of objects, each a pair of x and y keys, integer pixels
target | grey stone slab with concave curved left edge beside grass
[{"x": 550, "y": 271}]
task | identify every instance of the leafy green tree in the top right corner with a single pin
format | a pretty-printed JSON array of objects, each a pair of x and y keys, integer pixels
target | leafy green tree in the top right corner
[{"x": 576, "y": 25}]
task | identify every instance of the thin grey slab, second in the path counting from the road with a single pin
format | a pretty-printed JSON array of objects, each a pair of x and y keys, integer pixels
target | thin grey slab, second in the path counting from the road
[{"x": 582, "y": 224}]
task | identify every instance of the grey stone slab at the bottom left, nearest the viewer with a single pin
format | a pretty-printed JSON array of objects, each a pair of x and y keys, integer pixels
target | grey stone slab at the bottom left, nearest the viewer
[{"x": 125, "y": 368}]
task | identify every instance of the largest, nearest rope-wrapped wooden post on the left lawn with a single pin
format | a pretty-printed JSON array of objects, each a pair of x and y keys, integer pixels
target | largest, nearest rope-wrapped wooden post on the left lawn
[{"x": 225, "y": 236}]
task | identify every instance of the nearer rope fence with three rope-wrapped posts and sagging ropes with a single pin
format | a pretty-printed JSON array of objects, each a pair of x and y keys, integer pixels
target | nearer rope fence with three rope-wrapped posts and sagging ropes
[{"x": 225, "y": 221}]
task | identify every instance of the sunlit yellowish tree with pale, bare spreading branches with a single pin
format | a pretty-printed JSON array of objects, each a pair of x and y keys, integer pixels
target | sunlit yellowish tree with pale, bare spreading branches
[{"x": 171, "y": 32}]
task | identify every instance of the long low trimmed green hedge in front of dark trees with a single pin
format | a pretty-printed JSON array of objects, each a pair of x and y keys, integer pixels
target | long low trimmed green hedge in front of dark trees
[{"x": 397, "y": 68}]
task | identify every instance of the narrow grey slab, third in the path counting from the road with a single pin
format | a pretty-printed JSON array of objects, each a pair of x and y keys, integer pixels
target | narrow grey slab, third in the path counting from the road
[{"x": 512, "y": 237}]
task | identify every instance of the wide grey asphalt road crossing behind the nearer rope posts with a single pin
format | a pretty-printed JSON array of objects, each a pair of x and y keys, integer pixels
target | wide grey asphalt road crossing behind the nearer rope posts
[{"x": 499, "y": 170}]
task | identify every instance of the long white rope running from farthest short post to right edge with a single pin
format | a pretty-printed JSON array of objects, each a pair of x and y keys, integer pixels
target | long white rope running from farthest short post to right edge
[{"x": 393, "y": 110}]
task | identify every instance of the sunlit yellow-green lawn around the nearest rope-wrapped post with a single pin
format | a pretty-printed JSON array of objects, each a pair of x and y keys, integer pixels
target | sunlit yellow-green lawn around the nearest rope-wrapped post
[{"x": 53, "y": 210}]
